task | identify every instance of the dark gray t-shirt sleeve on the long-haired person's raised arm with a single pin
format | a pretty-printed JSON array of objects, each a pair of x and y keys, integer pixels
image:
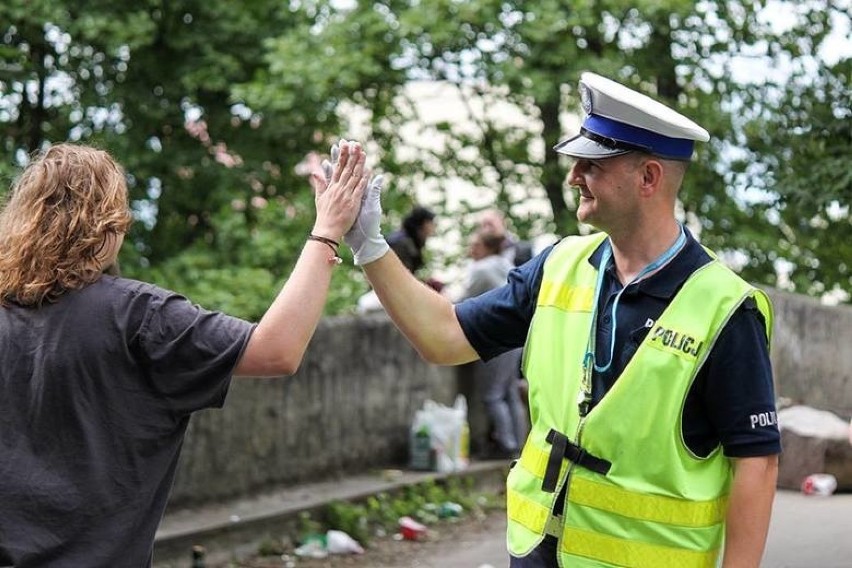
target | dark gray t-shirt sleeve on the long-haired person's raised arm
[{"x": 189, "y": 353}]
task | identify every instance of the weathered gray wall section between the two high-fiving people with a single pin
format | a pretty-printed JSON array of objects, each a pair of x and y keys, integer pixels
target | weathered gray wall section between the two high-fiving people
[{"x": 347, "y": 410}]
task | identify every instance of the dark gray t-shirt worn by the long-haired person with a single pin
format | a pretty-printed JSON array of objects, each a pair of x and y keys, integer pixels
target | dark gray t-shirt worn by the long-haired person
[{"x": 96, "y": 391}]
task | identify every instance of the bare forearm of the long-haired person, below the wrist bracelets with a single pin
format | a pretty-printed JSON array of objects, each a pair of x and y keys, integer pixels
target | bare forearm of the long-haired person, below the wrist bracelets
[{"x": 282, "y": 336}]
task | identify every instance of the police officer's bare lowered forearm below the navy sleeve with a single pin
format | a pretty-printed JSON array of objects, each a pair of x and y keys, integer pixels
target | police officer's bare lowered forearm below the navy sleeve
[{"x": 749, "y": 511}]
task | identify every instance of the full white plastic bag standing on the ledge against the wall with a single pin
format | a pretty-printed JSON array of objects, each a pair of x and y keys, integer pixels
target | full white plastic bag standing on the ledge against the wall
[{"x": 440, "y": 436}]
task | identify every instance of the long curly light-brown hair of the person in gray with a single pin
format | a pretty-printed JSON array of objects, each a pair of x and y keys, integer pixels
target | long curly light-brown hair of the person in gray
[{"x": 56, "y": 221}]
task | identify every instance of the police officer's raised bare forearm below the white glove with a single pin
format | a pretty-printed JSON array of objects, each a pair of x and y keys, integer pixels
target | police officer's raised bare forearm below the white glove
[{"x": 424, "y": 316}]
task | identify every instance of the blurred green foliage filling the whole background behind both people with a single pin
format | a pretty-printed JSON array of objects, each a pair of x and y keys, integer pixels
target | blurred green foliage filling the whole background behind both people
[{"x": 212, "y": 106}]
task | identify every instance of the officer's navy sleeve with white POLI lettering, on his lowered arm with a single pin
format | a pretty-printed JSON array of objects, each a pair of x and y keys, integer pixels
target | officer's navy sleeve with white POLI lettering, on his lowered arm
[{"x": 739, "y": 388}]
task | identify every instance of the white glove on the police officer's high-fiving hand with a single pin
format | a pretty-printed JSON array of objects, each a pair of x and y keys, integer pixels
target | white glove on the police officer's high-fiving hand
[{"x": 365, "y": 237}]
